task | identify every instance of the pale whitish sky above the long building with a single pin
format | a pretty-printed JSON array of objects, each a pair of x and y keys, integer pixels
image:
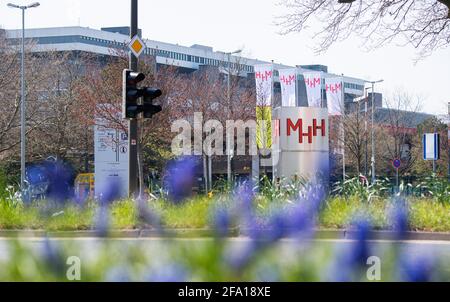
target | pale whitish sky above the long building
[{"x": 228, "y": 25}]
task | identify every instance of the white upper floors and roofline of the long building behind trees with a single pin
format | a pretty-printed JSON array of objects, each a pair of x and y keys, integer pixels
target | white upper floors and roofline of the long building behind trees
[{"x": 103, "y": 41}]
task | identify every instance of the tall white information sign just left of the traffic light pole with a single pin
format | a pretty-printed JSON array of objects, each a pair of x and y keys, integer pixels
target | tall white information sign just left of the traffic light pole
[{"x": 111, "y": 158}]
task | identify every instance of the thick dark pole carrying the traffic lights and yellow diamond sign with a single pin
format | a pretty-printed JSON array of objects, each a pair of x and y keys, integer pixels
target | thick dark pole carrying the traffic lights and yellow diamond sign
[{"x": 133, "y": 129}]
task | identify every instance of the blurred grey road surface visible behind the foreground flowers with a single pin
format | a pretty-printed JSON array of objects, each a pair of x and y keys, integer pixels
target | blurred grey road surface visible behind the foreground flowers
[{"x": 92, "y": 249}]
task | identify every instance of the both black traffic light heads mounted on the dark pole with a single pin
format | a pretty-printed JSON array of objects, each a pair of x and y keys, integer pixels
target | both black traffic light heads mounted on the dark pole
[{"x": 132, "y": 93}]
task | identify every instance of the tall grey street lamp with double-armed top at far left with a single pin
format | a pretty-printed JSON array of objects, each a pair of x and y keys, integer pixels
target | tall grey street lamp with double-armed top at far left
[{"x": 22, "y": 105}]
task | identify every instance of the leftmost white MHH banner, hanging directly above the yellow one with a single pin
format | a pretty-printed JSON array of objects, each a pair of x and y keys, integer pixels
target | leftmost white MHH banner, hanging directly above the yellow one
[{"x": 264, "y": 84}]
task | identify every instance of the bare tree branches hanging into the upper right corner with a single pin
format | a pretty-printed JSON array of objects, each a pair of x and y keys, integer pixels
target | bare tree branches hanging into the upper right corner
[{"x": 423, "y": 23}]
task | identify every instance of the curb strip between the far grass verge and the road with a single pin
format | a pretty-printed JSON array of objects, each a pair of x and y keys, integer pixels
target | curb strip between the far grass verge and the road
[{"x": 324, "y": 234}]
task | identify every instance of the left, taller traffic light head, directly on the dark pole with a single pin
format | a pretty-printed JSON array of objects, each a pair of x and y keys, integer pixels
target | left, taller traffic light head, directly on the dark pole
[{"x": 131, "y": 93}]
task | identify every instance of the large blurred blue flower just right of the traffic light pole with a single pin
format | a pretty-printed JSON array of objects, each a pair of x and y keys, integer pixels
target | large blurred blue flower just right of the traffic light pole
[{"x": 180, "y": 178}]
